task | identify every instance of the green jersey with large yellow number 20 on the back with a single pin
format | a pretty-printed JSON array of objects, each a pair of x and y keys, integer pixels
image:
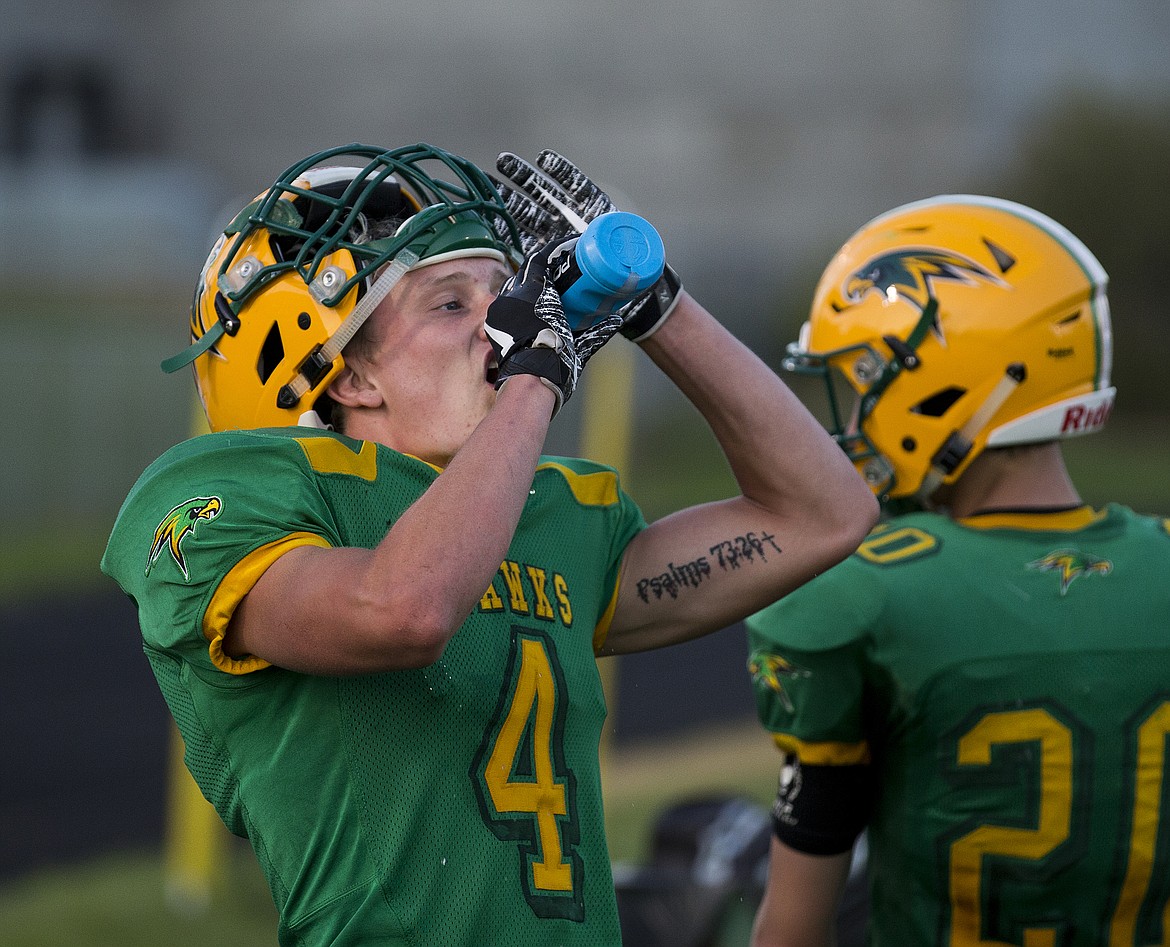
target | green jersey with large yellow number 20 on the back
[{"x": 1007, "y": 680}]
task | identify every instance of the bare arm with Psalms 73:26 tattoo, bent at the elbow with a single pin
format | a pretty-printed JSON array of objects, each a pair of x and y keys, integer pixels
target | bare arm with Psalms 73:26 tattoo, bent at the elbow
[{"x": 802, "y": 509}]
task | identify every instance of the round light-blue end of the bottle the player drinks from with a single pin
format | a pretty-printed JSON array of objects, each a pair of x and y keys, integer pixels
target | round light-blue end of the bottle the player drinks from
[{"x": 623, "y": 252}]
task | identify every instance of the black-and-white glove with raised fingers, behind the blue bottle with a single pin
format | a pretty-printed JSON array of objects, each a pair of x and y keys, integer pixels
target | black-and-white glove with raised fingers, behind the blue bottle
[{"x": 555, "y": 200}]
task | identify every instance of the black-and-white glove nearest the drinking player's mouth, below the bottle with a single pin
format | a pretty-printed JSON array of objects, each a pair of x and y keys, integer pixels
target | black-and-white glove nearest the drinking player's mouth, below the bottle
[{"x": 528, "y": 331}]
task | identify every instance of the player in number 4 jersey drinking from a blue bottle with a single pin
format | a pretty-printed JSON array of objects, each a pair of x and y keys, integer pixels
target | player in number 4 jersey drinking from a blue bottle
[{"x": 375, "y": 608}]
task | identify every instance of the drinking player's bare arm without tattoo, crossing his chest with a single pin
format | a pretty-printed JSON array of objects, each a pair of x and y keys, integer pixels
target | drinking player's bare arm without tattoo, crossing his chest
[{"x": 342, "y": 612}]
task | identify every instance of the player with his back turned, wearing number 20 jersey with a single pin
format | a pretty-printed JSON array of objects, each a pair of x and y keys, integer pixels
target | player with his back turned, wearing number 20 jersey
[{"x": 983, "y": 687}]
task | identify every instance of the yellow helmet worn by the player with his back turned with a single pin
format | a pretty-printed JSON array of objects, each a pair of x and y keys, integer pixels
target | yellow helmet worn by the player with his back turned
[{"x": 953, "y": 325}]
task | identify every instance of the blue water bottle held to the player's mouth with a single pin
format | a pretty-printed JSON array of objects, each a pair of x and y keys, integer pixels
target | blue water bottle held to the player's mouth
[{"x": 618, "y": 257}]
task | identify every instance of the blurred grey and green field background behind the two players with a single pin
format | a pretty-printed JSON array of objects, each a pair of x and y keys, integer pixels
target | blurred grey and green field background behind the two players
[{"x": 756, "y": 138}]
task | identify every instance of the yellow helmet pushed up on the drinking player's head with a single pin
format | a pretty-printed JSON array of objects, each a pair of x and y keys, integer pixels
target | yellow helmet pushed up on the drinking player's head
[{"x": 299, "y": 271}]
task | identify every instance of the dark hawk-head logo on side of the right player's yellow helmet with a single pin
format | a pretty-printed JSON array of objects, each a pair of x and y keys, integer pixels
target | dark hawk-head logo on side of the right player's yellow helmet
[{"x": 911, "y": 275}]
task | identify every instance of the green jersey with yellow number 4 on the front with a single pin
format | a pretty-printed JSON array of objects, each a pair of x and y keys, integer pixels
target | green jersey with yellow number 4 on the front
[{"x": 455, "y": 805}]
